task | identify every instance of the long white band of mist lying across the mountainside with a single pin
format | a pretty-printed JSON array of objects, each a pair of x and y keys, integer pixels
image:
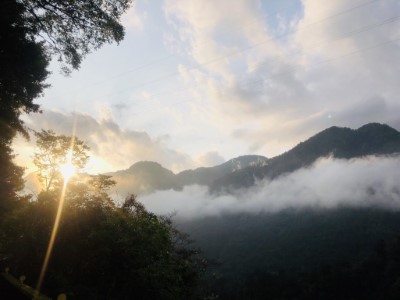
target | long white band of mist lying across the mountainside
[{"x": 329, "y": 183}]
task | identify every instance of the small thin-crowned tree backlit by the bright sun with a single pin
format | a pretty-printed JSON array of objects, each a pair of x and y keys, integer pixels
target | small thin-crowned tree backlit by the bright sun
[{"x": 53, "y": 152}]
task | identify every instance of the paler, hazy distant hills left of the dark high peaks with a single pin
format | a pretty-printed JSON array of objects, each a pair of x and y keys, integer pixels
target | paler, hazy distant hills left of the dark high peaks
[{"x": 146, "y": 176}]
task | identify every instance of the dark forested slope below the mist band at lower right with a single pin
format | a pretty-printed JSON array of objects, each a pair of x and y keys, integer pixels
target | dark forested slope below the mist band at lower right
[{"x": 300, "y": 254}]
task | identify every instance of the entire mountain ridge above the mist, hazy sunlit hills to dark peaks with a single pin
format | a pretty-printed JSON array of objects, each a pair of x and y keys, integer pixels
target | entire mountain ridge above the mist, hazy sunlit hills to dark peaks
[{"x": 243, "y": 171}]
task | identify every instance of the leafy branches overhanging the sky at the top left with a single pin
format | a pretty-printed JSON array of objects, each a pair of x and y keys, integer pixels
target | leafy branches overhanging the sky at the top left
[{"x": 71, "y": 29}]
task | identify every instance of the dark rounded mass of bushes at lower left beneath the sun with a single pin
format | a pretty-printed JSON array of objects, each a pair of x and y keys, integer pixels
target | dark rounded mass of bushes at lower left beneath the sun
[{"x": 101, "y": 251}]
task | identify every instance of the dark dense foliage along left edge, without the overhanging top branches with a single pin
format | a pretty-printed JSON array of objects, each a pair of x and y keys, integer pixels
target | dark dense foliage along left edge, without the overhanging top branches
[{"x": 23, "y": 63}]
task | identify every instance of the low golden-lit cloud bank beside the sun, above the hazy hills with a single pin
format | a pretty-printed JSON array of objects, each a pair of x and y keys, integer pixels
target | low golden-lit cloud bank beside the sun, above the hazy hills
[{"x": 112, "y": 147}]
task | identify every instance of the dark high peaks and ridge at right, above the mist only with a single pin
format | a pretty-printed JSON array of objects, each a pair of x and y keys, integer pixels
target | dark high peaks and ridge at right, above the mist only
[{"x": 370, "y": 139}]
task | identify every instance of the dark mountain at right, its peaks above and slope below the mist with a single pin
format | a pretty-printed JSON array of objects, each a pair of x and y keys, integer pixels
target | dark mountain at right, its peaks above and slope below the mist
[{"x": 304, "y": 253}]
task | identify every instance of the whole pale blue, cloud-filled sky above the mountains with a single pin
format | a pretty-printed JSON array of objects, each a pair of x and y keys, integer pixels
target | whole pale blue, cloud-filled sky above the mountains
[{"x": 197, "y": 82}]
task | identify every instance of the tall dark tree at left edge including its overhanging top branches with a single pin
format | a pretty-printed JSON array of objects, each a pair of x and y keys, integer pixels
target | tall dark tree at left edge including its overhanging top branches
[{"x": 31, "y": 33}]
